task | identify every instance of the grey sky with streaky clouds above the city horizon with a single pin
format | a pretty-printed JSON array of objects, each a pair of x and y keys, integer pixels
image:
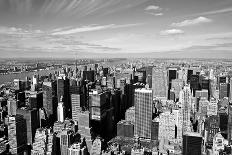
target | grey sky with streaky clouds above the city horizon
[{"x": 91, "y": 28}]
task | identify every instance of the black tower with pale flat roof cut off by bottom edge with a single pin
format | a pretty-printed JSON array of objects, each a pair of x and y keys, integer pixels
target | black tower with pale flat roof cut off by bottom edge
[{"x": 192, "y": 144}]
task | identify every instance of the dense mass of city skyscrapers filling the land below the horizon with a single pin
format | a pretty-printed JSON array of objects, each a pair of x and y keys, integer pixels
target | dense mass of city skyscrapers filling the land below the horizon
[{"x": 126, "y": 106}]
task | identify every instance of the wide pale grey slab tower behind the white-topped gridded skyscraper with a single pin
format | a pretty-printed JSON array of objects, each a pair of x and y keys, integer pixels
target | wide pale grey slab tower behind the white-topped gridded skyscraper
[{"x": 159, "y": 82}]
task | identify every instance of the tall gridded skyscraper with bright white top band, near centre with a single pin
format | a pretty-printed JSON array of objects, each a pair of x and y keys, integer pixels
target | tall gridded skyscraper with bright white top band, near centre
[{"x": 143, "y": 112}]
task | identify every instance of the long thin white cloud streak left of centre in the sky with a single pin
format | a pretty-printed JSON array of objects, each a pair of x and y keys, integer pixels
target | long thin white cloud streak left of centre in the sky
[{"x": 93, "y": 28}]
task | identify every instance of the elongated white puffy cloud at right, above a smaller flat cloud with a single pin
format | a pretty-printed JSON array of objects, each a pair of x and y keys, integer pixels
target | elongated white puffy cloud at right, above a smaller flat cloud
[{"x": 190, "y": 22}]
